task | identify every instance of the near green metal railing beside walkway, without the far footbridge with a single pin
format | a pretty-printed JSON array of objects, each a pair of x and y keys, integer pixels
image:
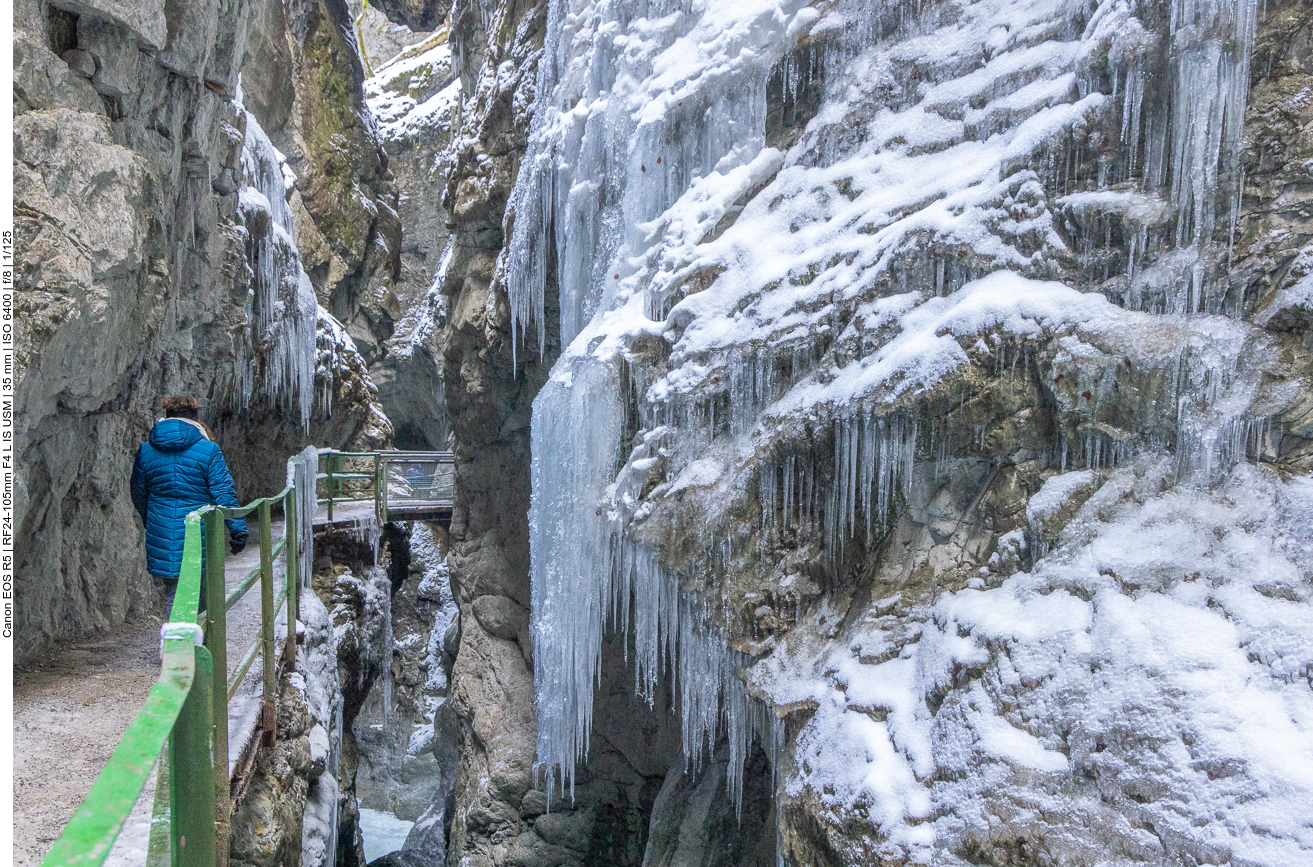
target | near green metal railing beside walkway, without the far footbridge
[{"x": 188, "y": 707}]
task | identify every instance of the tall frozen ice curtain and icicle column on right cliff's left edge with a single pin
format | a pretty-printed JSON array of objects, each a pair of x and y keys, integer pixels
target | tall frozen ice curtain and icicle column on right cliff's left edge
[{"x": 588, "y": 190}]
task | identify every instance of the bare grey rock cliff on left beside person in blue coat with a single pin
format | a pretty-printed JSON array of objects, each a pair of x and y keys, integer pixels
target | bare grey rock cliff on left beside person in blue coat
[{"x": 136, "y": 271}]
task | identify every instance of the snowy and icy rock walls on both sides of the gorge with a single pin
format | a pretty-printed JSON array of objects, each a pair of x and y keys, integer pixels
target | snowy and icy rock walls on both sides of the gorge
[{"x": 882, "y": 430}]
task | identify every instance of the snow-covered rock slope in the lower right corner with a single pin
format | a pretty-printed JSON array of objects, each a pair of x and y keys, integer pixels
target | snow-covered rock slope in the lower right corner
[{"x": 1182, "y": 700}]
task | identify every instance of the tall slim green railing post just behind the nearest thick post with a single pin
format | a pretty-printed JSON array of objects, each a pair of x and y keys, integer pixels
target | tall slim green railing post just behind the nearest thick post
[{"x": 217, "y": 642}]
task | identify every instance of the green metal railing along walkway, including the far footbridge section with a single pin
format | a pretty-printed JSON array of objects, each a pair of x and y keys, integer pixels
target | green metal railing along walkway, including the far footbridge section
[{"x": 188, "y": 707}]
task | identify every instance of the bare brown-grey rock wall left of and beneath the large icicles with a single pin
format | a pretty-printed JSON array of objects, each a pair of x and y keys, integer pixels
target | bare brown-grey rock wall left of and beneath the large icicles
[{"x": 635, "y": 770}]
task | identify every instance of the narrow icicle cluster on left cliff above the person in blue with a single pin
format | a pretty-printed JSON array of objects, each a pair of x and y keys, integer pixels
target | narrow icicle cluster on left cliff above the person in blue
[{"x": 282, "y": 365}]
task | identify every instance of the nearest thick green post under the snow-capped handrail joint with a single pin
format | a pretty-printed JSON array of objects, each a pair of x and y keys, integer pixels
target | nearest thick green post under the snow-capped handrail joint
[{"x": 191, "y": 768}]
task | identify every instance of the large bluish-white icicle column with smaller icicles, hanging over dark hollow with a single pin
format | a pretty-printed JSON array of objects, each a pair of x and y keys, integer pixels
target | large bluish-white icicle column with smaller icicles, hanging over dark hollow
[{"x": 588, "y": 579}]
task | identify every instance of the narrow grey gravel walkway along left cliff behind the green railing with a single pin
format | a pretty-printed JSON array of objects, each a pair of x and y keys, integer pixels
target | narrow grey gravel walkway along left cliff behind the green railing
[{"x": 72, "y": 710}]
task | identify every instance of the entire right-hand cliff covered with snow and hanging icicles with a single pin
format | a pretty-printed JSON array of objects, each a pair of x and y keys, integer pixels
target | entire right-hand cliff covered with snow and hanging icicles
[{"x": 917, "y": 354}]
